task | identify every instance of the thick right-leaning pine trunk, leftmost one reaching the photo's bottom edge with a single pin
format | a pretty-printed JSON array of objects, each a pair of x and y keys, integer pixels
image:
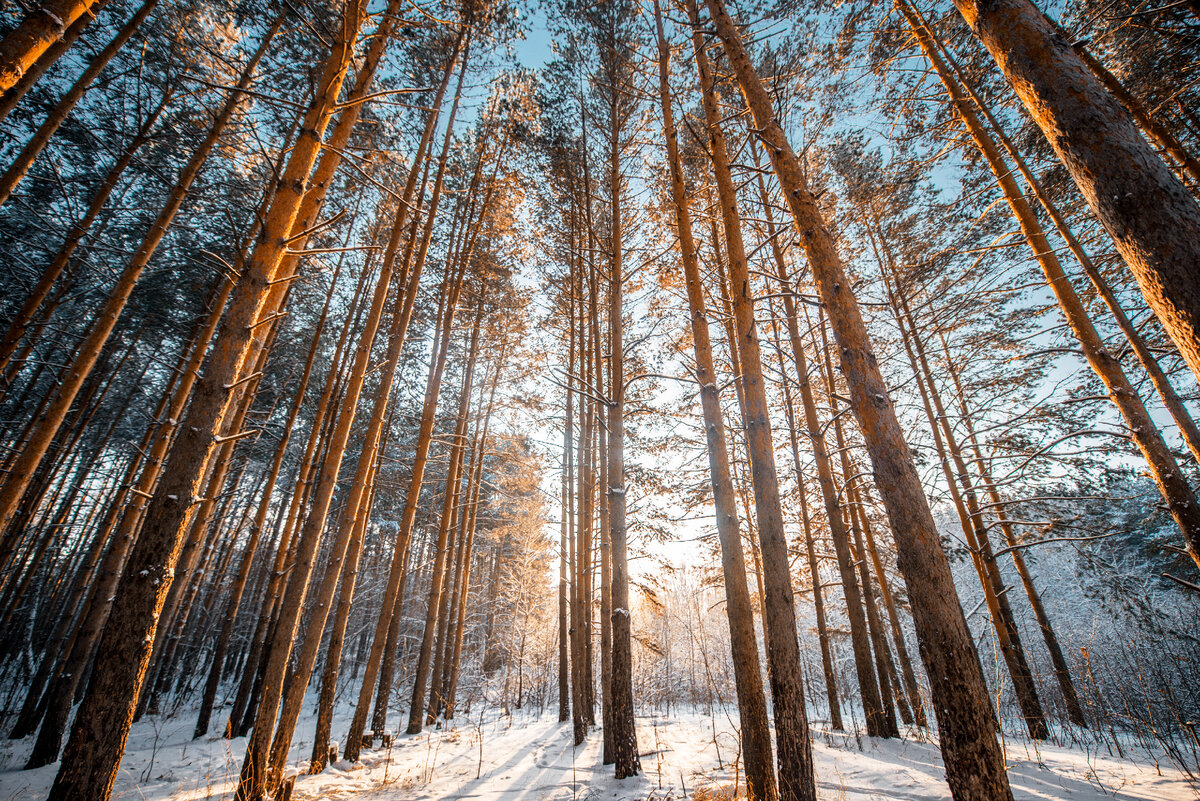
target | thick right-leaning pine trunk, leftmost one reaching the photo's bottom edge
[{"x": 98, "y": 739}]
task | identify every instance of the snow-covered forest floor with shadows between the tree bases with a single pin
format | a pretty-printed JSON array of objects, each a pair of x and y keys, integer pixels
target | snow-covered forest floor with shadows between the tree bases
[{"x": 526, "y": 757}]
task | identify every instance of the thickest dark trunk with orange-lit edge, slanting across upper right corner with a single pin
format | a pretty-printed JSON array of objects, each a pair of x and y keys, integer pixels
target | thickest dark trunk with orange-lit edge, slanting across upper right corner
[{"x": 1153, "y": 219}]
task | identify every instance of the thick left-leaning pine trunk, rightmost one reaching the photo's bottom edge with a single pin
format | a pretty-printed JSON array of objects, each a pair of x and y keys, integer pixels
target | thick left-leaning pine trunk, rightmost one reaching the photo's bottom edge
[{"x": 974, "y": 760}]
